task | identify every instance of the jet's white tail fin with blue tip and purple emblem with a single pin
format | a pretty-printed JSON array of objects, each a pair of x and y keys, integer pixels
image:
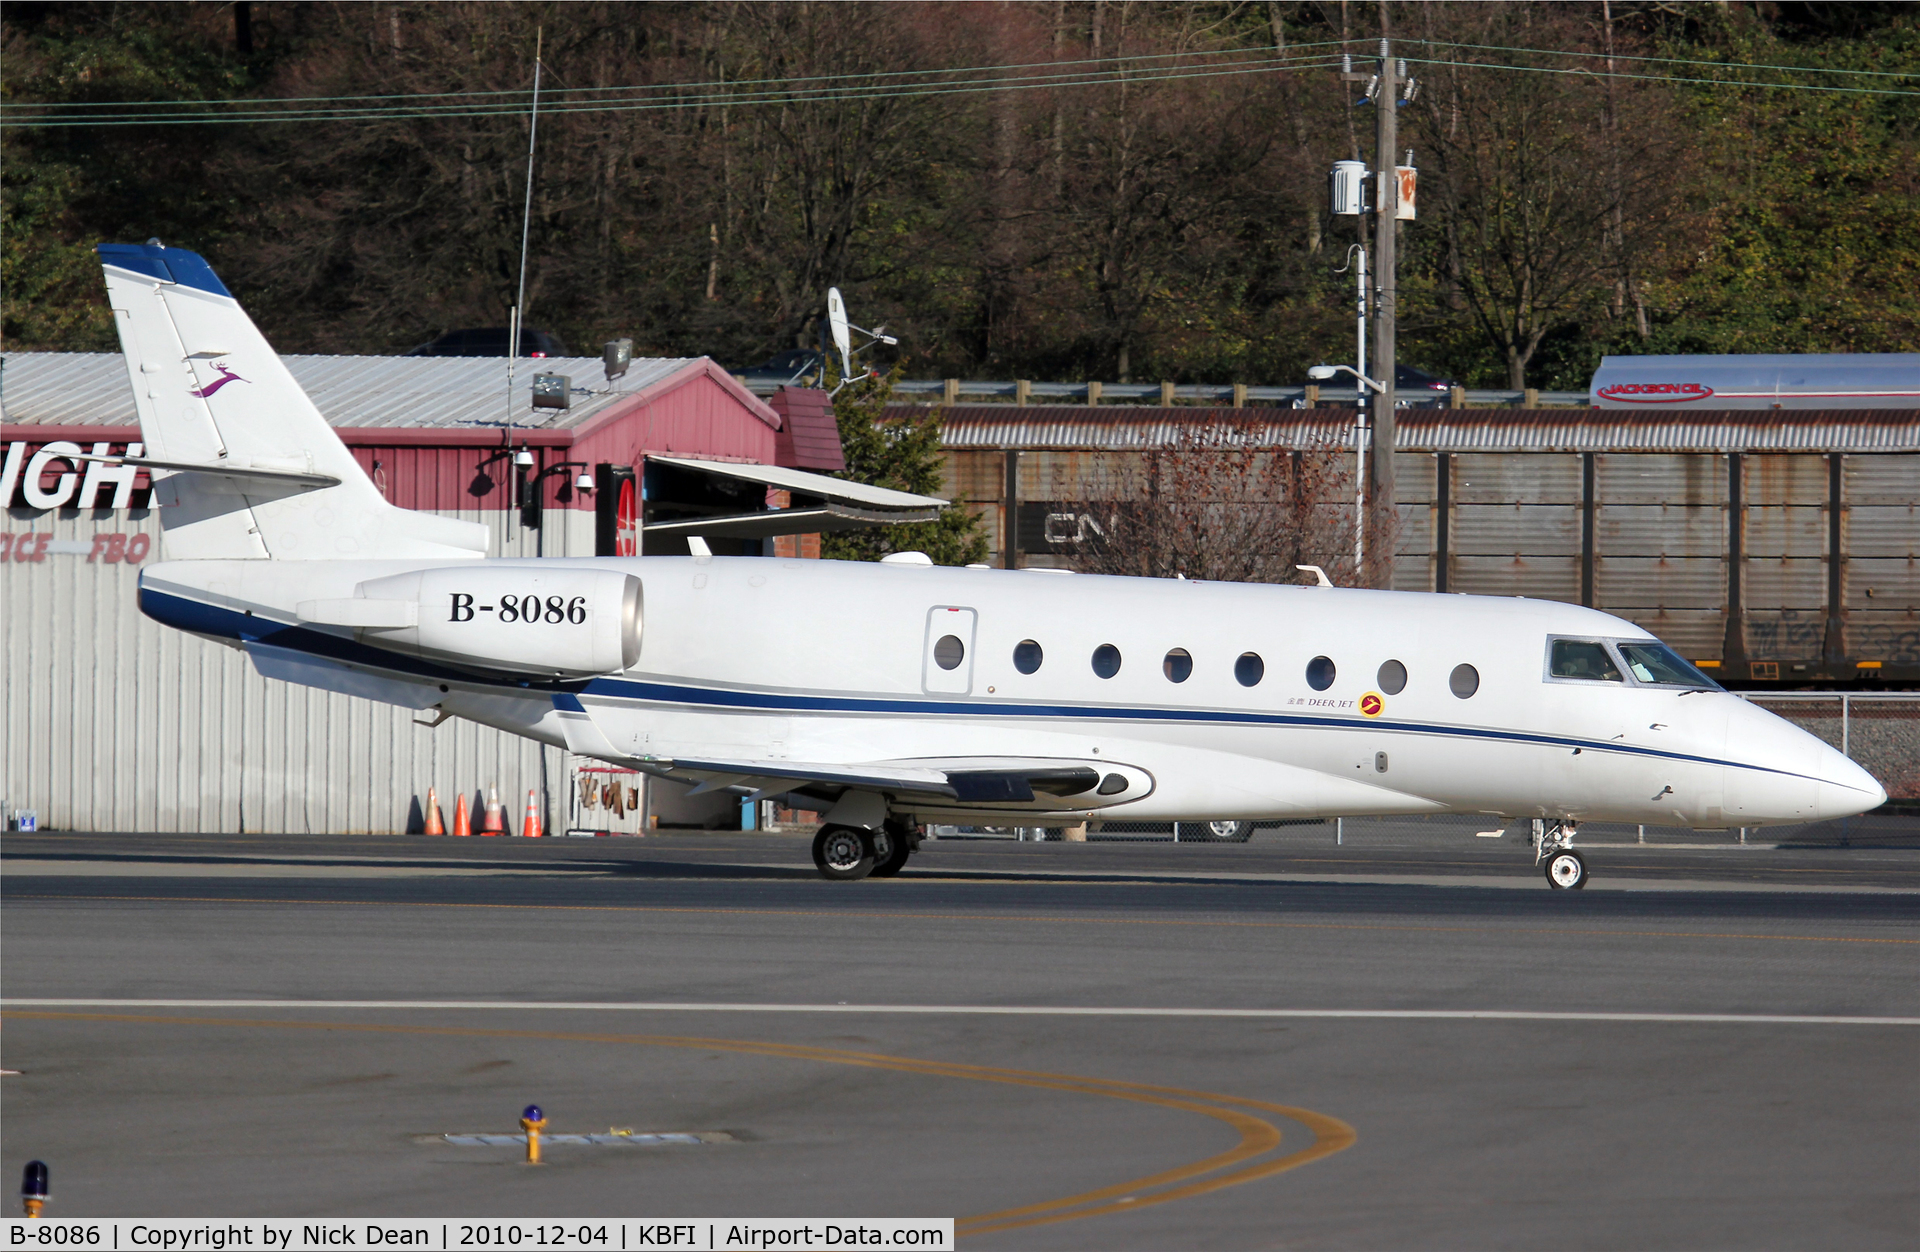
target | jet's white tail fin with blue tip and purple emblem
[{"x": 243, "y": 462}]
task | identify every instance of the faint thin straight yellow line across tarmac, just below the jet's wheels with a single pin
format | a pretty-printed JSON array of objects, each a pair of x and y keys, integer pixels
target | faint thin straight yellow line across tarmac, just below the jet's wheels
[{"x": 997, "y": 919}]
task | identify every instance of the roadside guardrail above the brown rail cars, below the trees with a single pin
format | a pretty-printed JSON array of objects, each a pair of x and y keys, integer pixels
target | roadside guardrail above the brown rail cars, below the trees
[{"x": 1019, "y": 391}]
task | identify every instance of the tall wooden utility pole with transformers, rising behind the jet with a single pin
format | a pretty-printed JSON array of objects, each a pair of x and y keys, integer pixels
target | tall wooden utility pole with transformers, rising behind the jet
[{"x": 1381, "y": 516}]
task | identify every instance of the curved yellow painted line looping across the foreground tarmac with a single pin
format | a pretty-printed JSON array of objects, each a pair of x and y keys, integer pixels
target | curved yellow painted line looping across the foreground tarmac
[{"x": 1259, "y": 1138}]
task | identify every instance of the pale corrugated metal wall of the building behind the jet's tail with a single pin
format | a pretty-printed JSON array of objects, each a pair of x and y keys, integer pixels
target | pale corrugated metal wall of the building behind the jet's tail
[{"x": 116, "y": 723}]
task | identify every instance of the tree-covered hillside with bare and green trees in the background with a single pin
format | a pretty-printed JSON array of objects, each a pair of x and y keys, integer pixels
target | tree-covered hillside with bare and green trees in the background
[{"x": 1034, "y": 189}]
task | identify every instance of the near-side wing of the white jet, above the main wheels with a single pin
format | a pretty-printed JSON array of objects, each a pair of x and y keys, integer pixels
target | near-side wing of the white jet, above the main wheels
[{"x": 967, "y": 781}]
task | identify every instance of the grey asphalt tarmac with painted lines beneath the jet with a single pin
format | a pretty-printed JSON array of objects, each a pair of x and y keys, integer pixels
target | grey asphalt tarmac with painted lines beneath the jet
[{"x": 1118, "y": 1046}]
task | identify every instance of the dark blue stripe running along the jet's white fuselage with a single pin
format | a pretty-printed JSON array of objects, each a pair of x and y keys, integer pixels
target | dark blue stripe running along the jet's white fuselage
[{"x": 206, "y": 619}]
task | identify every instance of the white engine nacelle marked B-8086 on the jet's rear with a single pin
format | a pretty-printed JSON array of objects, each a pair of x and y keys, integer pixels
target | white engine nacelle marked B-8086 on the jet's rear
[{"x": 569, "y": 623}]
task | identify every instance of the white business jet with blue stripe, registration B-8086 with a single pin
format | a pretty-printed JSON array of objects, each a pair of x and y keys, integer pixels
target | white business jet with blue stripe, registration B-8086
[{"x": 919, "y": 694}]
